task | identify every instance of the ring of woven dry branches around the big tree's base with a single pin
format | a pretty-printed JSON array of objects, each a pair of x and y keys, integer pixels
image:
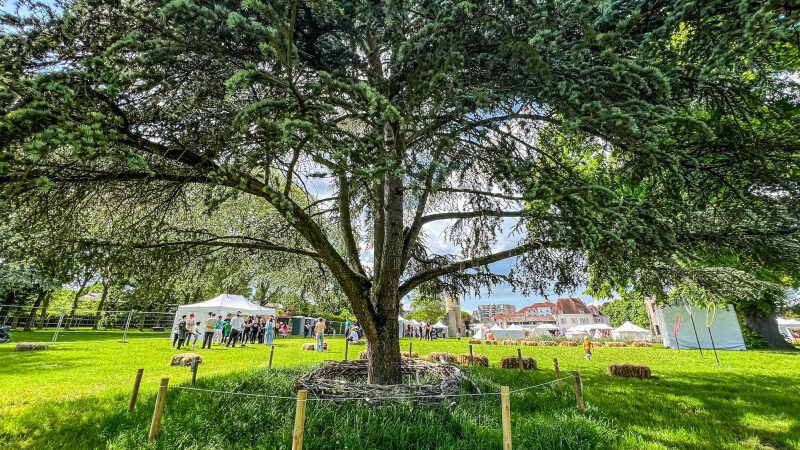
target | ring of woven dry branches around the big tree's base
[{"x": 342, "y": 380}]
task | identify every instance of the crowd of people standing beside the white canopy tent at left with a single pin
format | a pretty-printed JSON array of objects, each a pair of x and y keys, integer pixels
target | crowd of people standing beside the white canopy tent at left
[{"x": 229, "y": 330}]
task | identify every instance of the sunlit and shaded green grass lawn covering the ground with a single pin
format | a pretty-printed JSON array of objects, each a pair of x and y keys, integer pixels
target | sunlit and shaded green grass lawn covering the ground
[{"x": 75, "y": 396}]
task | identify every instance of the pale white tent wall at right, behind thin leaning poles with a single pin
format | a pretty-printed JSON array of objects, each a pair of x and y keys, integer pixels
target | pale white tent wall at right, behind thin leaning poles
[{"x": 726, "y": 331}]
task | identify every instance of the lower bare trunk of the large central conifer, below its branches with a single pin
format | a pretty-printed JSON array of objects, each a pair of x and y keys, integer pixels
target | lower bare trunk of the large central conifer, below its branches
[{"x": 383, "y": 354}]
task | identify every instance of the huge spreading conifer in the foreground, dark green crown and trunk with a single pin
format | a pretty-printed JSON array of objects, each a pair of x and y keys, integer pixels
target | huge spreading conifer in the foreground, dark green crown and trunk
[{"x": 607, "y": 141}]
